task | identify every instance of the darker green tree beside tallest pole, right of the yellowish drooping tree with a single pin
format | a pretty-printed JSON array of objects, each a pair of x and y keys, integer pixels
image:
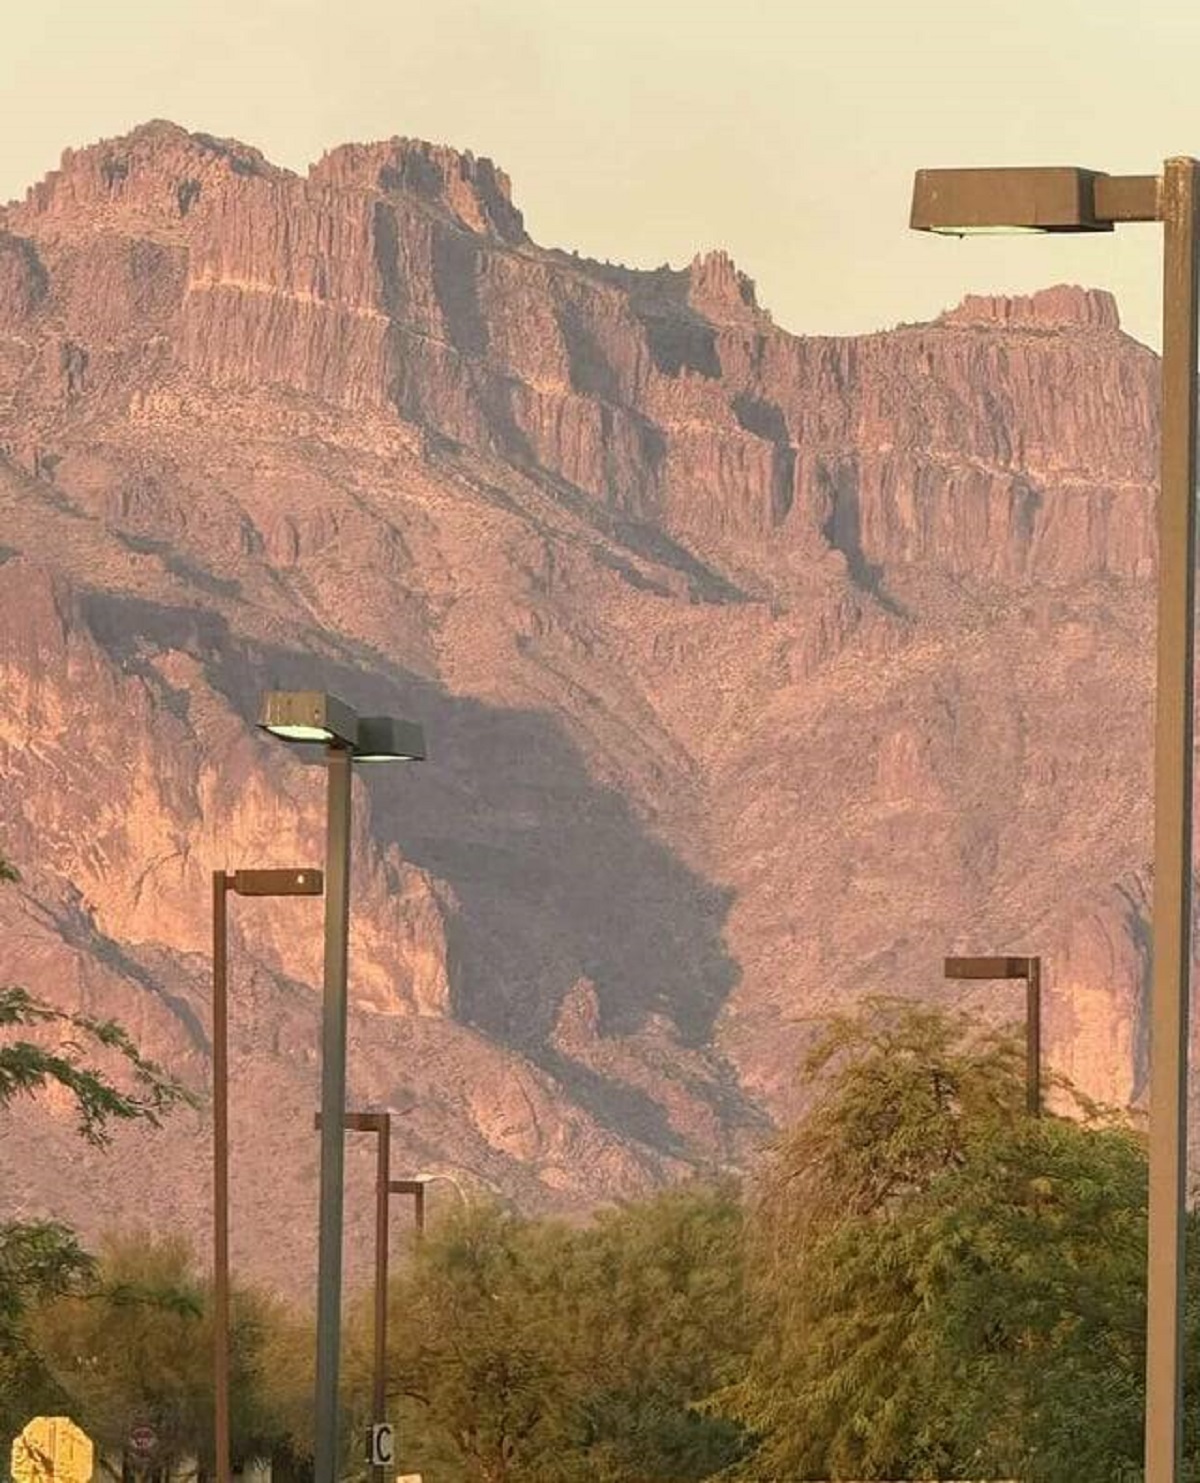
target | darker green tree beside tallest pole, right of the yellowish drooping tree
[{"x": 1038, "y": 1254}]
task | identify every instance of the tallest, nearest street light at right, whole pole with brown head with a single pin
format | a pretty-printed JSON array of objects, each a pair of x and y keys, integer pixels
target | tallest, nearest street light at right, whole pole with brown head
[{"x": 962, "y": 202}]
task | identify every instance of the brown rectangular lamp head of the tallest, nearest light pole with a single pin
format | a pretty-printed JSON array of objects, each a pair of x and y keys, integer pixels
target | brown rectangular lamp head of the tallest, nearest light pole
[{"x": 1008, "y": 201}]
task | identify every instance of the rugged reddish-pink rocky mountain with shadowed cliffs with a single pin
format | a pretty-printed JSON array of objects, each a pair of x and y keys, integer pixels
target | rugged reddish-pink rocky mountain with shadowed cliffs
[{"x": 759, "y": 671}]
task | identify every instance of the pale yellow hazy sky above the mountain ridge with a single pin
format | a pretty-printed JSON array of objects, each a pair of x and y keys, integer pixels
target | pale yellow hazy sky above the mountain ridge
[{"x": 785, "y": 131}]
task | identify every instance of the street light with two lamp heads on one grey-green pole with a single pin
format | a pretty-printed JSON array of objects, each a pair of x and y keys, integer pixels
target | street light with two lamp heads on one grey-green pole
[{"x": 312, "y": 717}]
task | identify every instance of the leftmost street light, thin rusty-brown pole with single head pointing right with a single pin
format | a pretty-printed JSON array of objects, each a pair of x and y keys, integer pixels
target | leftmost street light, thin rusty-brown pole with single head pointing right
[{"x": 243, "y": 883}]
